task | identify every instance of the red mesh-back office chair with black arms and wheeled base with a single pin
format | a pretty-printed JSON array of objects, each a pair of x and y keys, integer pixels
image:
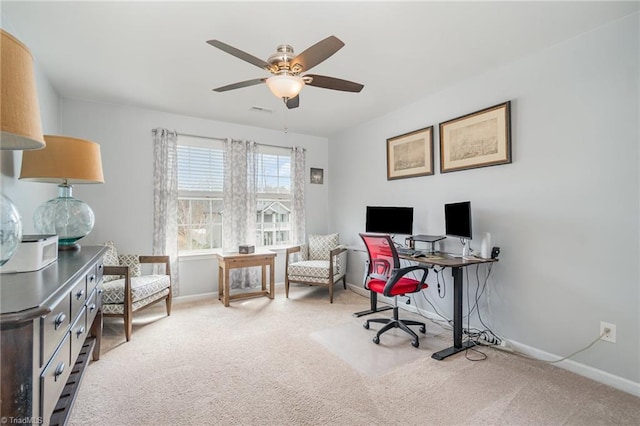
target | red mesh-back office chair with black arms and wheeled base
[{"x": 386, "y": 277}]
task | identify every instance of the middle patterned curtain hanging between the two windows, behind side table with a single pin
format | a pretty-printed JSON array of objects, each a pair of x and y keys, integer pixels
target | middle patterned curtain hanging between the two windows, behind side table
[{"x": 240, "y": 206}]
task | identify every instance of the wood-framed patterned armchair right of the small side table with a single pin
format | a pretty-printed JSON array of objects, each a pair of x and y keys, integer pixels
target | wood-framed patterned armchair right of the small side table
[{"x": 322, "y": 261}]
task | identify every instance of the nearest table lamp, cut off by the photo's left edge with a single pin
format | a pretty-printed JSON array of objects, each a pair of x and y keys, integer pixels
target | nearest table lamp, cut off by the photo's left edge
[{"x": 20, "y": 125}]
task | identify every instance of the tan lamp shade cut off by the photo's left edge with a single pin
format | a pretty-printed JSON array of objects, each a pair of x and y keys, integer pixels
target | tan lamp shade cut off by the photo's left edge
[{"x": 20, "y": 121}]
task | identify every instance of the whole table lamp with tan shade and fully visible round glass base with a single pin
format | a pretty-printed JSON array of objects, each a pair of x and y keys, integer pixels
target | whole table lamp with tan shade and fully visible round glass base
[{"x": 66, "y": 161}]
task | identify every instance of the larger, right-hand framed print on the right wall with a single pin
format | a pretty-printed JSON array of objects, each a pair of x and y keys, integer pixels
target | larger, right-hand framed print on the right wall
[{"x": 479, "y": 139}]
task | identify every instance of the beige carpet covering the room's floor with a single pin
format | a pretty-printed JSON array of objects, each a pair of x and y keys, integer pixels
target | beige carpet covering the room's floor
[{"x": 274, "y": 362}]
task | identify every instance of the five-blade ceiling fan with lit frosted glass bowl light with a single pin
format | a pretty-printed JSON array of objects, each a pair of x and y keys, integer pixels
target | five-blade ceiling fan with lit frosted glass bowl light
[{"x": 286, "y": 81}]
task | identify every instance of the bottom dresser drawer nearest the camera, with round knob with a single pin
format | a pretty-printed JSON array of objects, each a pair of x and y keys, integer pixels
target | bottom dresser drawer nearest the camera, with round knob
[{"x": 54, "y": 377}]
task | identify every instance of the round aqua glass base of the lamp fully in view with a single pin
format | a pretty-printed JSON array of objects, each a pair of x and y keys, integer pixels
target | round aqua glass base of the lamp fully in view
[{"x": 67, "y": 217}]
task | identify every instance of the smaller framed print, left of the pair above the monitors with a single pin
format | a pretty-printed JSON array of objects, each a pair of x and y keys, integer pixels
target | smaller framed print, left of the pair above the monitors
[{"x": 410, "y": 155}]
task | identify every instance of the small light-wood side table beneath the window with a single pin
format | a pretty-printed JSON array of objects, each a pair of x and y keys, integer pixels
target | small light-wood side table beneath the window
[{"x": 228, "y": 261}]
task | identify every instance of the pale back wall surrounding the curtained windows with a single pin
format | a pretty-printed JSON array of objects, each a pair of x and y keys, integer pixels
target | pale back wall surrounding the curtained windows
[{"x": 124, "y": 204}]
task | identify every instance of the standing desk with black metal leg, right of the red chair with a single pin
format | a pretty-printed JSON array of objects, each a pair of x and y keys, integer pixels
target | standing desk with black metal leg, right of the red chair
[{"x": 456, "y": 264}]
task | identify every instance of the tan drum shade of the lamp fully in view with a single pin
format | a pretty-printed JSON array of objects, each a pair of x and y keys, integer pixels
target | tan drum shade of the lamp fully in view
[{"x": 65, "y": 159}]
